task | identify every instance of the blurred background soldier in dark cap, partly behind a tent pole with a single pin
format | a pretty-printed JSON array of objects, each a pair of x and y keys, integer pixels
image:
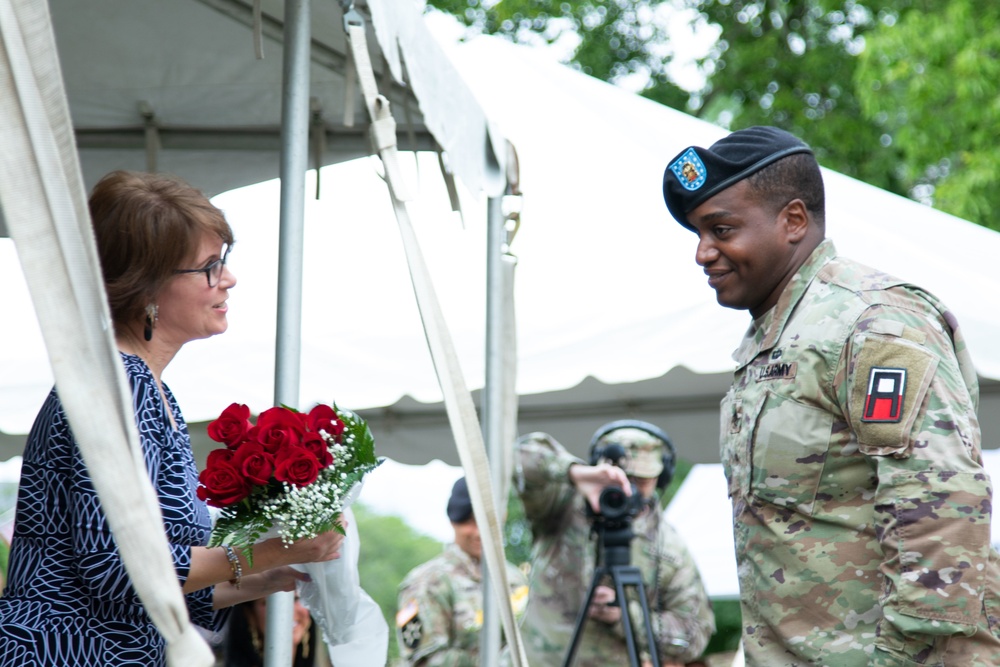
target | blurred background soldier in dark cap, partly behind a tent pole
[{"x": 441, "y": 602}]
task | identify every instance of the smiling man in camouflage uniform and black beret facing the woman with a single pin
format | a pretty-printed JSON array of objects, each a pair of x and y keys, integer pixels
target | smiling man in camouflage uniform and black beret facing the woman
[{"x": 850, "y": 439}]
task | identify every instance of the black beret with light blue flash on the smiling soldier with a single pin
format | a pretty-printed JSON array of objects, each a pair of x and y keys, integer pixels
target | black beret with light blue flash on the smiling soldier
[{"x": 696, "y": 173}]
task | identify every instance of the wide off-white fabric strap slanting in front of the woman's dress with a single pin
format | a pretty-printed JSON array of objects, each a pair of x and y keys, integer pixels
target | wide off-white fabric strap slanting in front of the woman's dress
[{"x": 42, "y": 195}]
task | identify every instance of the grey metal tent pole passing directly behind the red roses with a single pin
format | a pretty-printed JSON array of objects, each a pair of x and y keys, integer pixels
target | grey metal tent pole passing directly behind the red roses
[{"x": 294, "y": 162}]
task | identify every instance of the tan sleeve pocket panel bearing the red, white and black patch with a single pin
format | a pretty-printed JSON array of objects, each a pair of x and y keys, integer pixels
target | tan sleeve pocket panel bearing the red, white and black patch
[{"x": 889, "y": 381}]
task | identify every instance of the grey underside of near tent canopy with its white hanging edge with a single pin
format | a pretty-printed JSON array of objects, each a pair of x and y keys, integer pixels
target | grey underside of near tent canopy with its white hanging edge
[{"x": 175, "y": 85}]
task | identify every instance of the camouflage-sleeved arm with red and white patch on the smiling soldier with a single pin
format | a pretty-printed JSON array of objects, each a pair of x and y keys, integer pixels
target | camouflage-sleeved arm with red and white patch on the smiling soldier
[{"x": 905, "y": 384}]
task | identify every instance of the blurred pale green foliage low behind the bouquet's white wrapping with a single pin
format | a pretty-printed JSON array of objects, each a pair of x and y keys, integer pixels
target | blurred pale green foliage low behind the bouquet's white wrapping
[{"x": 389, "y": 550}]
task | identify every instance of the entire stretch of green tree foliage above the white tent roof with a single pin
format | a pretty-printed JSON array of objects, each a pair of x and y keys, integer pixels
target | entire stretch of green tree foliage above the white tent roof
[{"x": 864, "y": 82}]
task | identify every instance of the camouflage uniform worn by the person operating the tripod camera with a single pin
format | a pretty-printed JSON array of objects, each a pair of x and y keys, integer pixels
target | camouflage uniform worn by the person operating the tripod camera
[{"x": 563, "y": 566}]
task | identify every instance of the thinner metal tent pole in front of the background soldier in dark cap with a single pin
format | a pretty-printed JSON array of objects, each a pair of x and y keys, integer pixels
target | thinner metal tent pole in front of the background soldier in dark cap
[{"x": 493, "y": 427}]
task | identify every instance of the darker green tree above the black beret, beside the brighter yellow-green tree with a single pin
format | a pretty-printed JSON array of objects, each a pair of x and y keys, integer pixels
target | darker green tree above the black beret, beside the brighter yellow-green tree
[{"x": 791, "y": 64}]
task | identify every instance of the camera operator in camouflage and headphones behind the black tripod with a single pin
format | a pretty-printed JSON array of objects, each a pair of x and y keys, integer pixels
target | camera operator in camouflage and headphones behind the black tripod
[{"x": 556, "y": 489}]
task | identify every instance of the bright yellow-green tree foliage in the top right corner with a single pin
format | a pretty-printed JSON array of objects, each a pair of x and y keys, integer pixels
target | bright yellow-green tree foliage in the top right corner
[{"x": 932, "y": 80}]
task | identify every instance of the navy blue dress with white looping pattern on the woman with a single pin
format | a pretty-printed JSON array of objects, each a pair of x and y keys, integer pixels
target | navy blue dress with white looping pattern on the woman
[{"x": 68, "y": 600}]
